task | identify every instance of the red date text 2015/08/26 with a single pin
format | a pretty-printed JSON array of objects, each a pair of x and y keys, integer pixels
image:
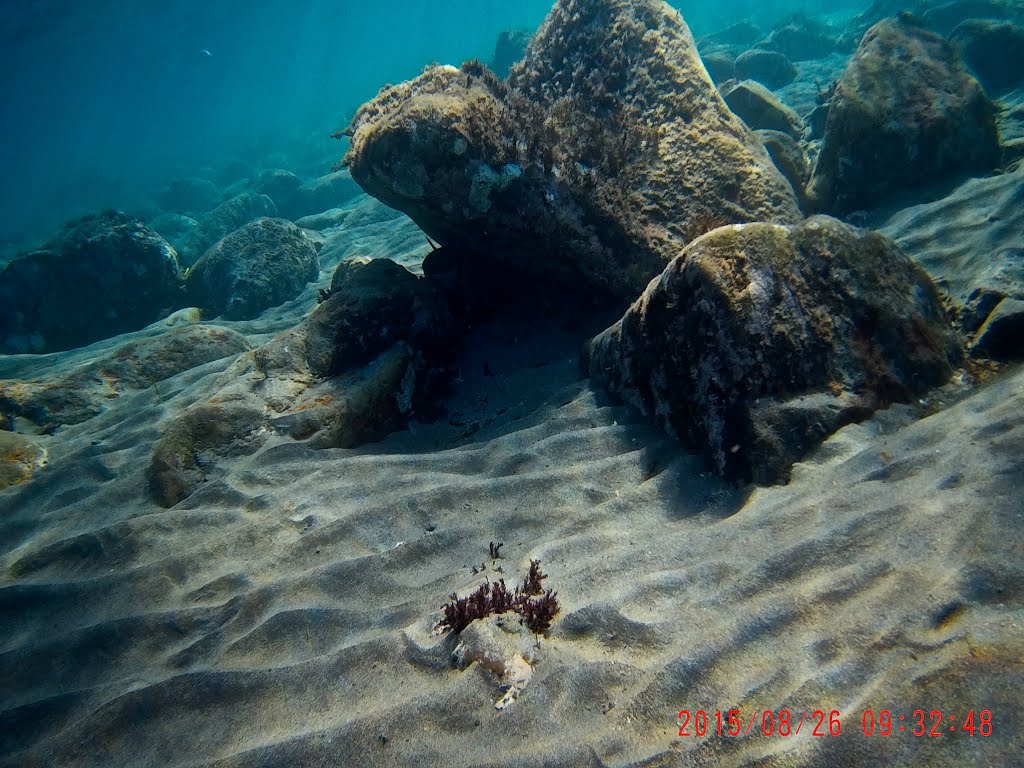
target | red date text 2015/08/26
[{"x": 783, "y": 723}]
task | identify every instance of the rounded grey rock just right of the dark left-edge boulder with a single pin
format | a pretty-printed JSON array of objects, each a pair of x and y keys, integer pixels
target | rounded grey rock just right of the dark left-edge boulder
[{"x": 261, "y": 266}]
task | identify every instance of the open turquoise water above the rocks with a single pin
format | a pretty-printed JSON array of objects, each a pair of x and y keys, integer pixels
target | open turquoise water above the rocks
[{"x": 105, "y": 103}]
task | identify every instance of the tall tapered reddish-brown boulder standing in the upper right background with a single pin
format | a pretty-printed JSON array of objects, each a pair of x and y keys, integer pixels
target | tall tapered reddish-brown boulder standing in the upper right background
[{"x": 906, "y": 113}]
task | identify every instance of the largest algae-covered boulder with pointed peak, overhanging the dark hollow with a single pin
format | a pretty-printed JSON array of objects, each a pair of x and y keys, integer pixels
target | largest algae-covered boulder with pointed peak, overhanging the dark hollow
[{"x": 607, "y": 151}]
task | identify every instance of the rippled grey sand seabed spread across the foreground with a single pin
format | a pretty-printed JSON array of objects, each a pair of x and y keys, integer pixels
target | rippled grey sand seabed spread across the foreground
[{"x": 285, "y": 614}]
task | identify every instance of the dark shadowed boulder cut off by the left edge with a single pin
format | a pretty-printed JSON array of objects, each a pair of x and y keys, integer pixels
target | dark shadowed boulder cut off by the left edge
[{"x": 105, "y": 275}]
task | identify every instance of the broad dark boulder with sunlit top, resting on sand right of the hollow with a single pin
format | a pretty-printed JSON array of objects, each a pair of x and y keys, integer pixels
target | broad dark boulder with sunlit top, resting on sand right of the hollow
[{"x": 759, "y": 340}]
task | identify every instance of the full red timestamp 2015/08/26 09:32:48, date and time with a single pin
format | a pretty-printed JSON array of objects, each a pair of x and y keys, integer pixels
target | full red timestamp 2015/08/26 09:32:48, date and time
[{"x": 700, "y": 723}]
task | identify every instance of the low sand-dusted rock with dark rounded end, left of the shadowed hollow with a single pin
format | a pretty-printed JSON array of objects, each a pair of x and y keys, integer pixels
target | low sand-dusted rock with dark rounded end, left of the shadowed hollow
[{"x": 349, "y": 374}]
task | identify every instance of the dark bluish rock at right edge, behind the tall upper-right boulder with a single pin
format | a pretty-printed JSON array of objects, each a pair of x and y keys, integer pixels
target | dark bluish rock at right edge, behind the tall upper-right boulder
[{"x": 994, "y": 51}]
